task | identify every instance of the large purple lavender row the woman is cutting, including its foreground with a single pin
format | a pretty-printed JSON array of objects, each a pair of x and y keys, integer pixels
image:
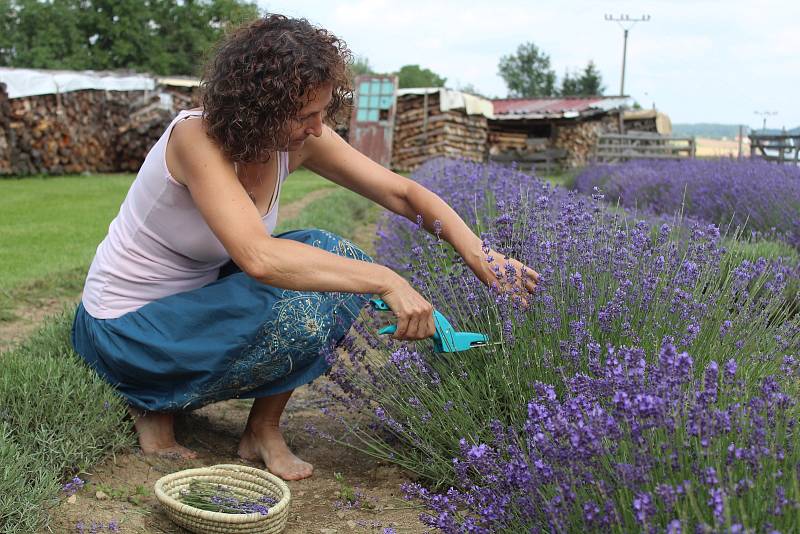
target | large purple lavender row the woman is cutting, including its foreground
[{"x": 615, "y": 297}]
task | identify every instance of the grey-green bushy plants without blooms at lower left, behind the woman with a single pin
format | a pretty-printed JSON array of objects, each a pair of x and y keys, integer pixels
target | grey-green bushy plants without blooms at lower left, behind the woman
[{"x": 58, "y": 418}]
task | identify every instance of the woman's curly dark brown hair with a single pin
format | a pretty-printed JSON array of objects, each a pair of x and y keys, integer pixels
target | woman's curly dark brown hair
[{"x": 259, "y": 77}]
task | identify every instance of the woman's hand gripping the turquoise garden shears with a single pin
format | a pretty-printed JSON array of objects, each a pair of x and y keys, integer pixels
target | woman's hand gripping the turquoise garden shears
[{"x": 414, "y": 314}]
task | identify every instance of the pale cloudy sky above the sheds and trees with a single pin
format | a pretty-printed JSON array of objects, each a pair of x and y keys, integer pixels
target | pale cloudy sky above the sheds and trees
[{"x": 698, "y": 61}]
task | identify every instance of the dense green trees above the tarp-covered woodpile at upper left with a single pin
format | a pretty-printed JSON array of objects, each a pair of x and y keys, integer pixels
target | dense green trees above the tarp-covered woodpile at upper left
[{"x": 158, "y": 36}]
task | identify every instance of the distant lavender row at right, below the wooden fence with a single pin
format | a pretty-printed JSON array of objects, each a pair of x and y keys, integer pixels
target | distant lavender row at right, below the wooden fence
[{"x": 762, "y": 196}]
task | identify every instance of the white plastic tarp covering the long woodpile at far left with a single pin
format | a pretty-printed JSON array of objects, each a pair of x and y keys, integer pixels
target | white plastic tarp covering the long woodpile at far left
[{"x": 30, "y": 82}]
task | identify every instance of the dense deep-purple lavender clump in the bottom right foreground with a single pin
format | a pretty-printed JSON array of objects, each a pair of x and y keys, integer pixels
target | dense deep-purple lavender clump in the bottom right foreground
[{"x": 634, "y": 447}]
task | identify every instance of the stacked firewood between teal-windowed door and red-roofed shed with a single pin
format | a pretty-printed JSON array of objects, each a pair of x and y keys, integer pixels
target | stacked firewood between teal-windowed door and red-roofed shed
[{"x": 421, "y": 135}]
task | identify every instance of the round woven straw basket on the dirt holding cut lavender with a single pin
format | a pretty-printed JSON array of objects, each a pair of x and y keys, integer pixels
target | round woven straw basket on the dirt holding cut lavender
[{"x": 245, "y": 481}]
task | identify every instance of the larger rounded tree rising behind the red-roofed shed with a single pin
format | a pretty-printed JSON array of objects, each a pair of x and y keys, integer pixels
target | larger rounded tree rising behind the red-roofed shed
[{"x": 527, "y": 73}]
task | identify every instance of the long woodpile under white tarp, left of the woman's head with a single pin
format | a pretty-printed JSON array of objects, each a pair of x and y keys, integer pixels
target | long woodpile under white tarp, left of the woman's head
[{"x": 82, "y": 131}]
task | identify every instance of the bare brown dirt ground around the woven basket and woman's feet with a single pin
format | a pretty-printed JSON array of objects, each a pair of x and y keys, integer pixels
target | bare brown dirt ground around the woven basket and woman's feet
[{"x": 126, "y": 482}]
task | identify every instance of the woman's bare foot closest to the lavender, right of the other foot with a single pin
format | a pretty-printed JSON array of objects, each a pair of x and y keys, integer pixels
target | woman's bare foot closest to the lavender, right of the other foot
[{"x": 266, "y": 444}]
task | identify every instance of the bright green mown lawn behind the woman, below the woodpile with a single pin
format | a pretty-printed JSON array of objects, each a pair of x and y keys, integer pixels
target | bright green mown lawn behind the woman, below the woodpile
[{"x": 50, "y": 229}]
